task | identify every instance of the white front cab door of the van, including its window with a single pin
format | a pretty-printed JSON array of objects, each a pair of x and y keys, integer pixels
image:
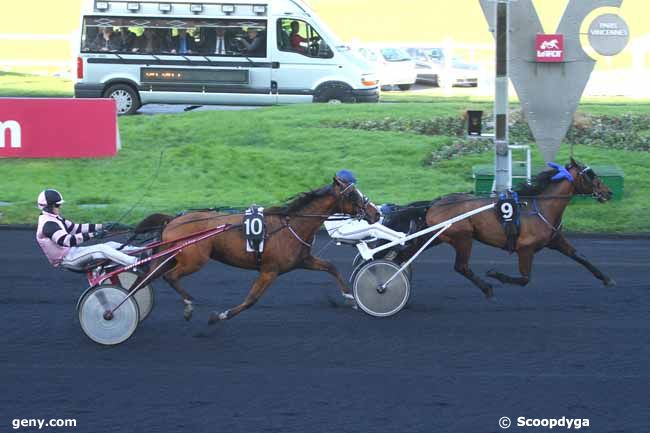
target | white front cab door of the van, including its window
[{"x": 304, "y": 58}]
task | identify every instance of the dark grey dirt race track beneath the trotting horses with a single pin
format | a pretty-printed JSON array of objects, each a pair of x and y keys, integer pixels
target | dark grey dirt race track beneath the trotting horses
[{"x": 299, "y": 361}]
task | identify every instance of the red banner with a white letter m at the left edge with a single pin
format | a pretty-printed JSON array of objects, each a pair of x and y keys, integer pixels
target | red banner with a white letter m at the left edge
[{"x": 58, "y": 128}]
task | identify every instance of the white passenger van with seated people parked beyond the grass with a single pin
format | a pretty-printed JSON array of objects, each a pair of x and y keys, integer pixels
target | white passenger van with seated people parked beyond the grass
[{"x": 203, "y": 52}]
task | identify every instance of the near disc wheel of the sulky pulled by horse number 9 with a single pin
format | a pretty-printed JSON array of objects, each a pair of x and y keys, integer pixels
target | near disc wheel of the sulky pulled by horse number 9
[{"x": 372, "y": 292}]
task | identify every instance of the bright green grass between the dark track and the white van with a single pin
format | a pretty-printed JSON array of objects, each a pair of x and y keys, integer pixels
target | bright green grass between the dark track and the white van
[{"x": 223, "y": 158}]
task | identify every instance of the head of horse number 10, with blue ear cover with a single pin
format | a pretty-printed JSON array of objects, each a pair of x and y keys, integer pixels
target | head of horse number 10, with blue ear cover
[{"x": 350, "y": 200}]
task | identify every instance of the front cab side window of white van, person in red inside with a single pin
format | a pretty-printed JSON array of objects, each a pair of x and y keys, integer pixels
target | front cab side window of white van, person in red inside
[{"x": 298, "y": 36}]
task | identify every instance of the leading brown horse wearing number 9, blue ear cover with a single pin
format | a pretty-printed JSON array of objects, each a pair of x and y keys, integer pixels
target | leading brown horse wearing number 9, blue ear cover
[{"x": 541, "y": 219}]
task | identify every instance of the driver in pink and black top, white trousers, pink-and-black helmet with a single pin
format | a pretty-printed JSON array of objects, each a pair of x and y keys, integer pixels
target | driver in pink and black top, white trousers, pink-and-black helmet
[{"x": 60, "y": 238}]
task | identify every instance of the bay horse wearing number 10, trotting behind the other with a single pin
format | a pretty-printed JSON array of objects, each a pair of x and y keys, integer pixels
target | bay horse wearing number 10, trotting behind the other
[{"x": 290, "y": 229}]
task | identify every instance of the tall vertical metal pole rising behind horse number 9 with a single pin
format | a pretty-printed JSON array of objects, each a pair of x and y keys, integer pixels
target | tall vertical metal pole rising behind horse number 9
[{"x": 502, "y": 175}]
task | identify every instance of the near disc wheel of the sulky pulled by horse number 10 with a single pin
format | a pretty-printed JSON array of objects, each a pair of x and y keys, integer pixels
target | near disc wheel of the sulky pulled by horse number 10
[{"x": 99, "y": 324}]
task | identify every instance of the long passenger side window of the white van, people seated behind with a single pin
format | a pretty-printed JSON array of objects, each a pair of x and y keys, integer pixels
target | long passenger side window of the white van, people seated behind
[{"x": 138, "y": 35}]
